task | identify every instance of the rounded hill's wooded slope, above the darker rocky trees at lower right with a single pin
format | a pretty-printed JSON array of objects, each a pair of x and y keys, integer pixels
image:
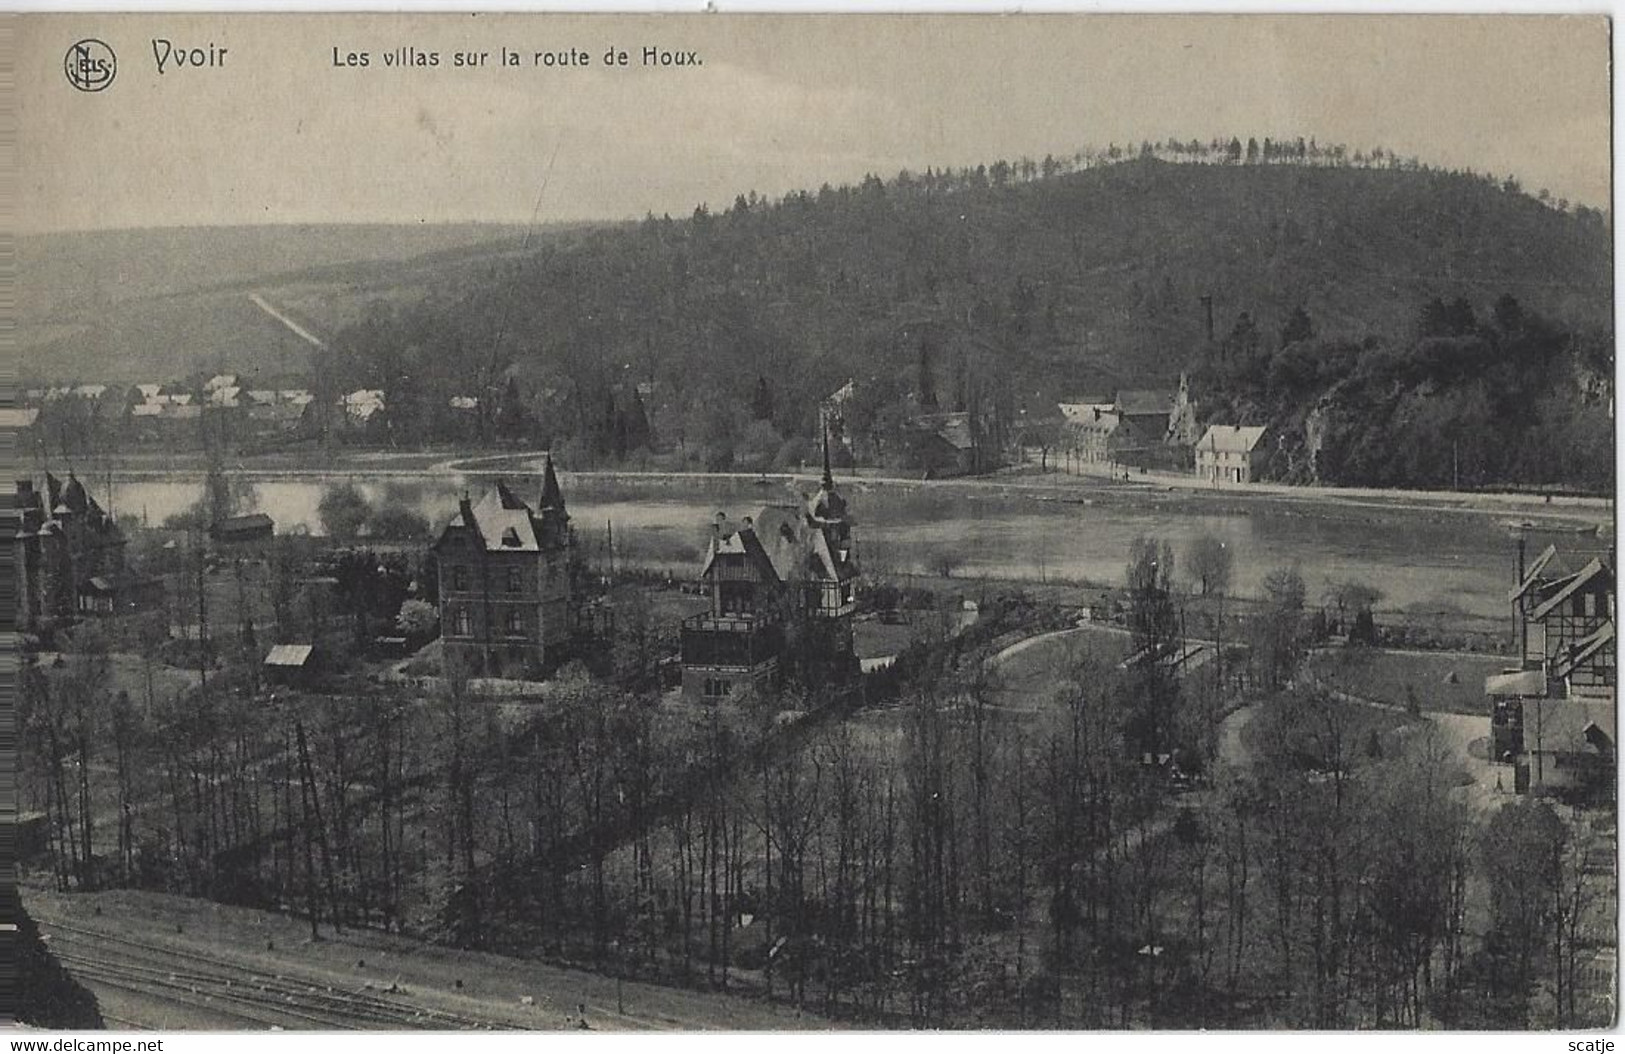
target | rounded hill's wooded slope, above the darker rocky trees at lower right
[{"x": 1021, "y": 292}]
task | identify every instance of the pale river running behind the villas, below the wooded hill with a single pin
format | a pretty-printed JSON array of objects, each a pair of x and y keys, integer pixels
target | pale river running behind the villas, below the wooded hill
[{"x": 1423, "y": 559}]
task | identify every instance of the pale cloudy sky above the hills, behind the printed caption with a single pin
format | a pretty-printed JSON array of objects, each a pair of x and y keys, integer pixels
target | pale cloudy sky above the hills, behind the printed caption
[{"x": 280, "y": 134}]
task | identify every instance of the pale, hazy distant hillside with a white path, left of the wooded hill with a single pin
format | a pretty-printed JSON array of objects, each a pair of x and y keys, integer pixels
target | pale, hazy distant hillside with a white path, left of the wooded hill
[{"x": 129, "y": 306}]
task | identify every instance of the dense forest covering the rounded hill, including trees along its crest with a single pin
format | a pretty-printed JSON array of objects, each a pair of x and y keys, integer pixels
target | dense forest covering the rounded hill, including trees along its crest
[{"x": 1005, "y": 288}]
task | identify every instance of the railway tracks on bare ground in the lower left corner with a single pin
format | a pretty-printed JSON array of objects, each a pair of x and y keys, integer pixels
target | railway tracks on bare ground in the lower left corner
[{"x": 264, "y": 998}]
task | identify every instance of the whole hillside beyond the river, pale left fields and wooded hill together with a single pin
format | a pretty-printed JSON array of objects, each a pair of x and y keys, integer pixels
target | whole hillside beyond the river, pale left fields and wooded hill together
[{"x": 997, "y": 290}]
